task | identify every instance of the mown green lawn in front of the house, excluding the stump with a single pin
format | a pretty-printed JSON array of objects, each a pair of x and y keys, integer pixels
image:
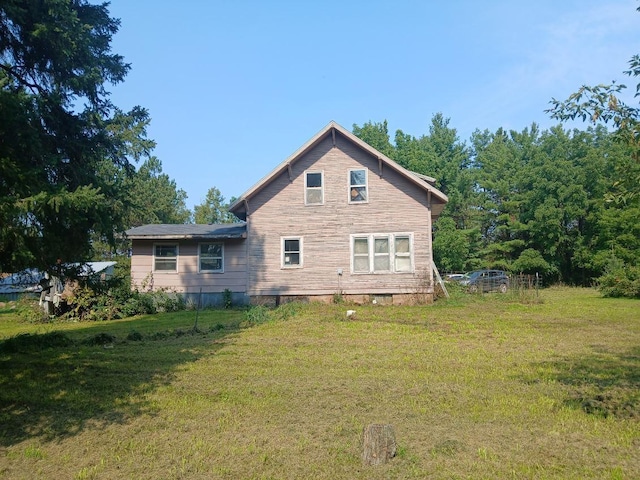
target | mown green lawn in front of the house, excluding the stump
[{"x": 475, "y": 387}]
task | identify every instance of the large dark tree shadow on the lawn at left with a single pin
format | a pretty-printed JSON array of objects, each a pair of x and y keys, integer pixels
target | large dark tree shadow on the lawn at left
[{"x": 52, "y": 386}]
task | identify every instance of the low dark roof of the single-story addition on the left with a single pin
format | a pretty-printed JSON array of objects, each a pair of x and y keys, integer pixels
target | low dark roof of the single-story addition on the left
[{"x": 188, "y": 231}]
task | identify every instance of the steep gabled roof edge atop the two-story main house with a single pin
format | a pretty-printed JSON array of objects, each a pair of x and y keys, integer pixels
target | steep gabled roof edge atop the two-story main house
[{"x": 424, "y": 182}]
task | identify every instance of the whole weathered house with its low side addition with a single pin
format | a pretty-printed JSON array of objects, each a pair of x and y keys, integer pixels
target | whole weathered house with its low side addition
[{"x": 337, "y": 219}]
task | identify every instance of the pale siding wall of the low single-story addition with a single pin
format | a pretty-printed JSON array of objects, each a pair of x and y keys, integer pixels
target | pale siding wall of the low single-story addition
[{"x": 187, "y": 279}]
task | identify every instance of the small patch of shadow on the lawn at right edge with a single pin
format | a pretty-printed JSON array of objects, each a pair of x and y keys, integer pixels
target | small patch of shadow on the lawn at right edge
[{"x": 602, "y": 383}]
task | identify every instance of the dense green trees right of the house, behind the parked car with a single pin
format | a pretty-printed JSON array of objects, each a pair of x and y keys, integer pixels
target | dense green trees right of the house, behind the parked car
[{"x": 534, "y": 201}]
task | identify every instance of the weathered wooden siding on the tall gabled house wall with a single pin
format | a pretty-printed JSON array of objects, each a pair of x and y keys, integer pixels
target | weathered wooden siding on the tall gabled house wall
[{"x": 395, "y": 206}]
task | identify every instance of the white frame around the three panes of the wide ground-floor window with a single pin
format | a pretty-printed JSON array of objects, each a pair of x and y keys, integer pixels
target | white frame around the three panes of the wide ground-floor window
[{"x": 392, "y": 255}]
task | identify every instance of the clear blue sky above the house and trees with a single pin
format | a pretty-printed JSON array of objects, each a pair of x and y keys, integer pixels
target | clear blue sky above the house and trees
[{"x": 234, "y": 87}]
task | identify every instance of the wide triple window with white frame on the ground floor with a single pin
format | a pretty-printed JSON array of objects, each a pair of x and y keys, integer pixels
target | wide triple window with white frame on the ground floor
[{"x": 382, "y": 253}]
